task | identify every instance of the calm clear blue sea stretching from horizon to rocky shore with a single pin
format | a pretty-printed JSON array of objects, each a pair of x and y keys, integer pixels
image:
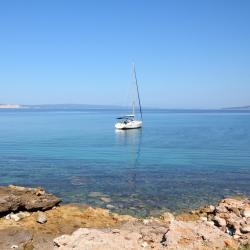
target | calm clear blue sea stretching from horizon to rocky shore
[{"x": 177, "y": 161}]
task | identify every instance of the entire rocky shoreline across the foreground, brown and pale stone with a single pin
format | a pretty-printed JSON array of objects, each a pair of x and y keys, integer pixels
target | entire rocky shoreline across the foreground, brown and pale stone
[{"x": 30, "y": 219}]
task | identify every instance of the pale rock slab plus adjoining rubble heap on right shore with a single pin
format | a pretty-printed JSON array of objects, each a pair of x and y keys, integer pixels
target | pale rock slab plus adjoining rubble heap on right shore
[{"x": 226, "y": 226}]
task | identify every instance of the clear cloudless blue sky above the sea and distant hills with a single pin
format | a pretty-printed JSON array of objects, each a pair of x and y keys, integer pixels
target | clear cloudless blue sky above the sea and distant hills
[{"x": 188, "y": 54}]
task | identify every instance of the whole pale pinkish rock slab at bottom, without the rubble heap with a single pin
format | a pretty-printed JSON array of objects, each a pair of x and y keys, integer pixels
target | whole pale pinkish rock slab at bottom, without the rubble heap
[{"x": 154, "y": 234}]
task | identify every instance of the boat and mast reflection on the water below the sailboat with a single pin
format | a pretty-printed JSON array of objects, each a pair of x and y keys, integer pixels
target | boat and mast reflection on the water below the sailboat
[{"x": 131, "y": 141}]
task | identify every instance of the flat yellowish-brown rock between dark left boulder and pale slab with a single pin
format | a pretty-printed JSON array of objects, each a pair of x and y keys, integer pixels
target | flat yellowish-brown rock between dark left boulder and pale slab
[{"x": 47, "y": 225}]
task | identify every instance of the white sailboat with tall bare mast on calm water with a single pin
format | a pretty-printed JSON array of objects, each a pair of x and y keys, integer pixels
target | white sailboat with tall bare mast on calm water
[{"x": 130, "y": 121}]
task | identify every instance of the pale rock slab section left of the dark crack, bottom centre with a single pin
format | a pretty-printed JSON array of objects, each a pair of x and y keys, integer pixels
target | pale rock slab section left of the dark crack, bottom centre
[{"x": 132, "y": 236}]
